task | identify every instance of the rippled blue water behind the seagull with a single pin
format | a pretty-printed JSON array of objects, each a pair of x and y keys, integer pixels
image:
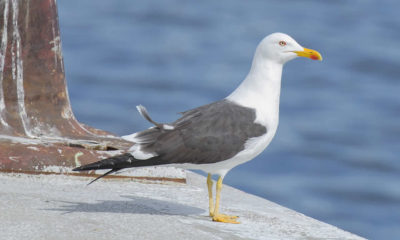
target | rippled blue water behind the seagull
[{"x": 336, "y": 155}]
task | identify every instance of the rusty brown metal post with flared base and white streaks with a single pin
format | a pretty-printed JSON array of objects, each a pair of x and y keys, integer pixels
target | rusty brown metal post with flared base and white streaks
[{"x": 38, "y": 131}]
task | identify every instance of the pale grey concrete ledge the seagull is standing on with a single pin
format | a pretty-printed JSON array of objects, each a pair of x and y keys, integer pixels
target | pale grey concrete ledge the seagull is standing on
[{"x": 63, "y": 207}]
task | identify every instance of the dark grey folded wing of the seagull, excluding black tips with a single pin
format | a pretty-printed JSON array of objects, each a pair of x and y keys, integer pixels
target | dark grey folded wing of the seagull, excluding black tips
[{"x": 208, "y": 134}]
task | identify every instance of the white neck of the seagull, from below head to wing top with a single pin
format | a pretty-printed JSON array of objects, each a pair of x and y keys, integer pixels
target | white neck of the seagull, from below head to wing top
[{"x": 261, "y": 88}]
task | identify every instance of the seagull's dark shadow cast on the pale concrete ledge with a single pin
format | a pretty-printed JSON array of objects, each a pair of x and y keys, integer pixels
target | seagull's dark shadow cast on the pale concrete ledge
[{"x": 135, "y": 205}]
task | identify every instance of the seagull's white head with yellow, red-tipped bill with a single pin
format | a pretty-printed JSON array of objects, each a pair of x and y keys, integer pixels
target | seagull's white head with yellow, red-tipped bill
[{"x": 281, "y": 48}]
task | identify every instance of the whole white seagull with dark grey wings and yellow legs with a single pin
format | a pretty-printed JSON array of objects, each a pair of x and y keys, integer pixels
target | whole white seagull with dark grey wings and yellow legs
[{"x": 218, "y": 136}]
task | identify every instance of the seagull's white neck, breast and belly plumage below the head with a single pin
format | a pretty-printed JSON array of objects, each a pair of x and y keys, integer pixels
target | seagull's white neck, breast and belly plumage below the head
[{"x": 260, "y": 91}]
